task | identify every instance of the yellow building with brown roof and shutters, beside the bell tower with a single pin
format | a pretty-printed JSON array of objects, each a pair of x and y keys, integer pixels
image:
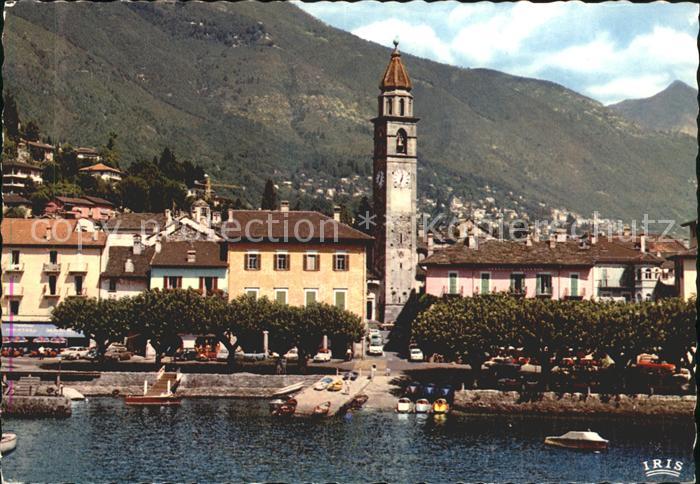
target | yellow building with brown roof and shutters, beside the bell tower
[{"x": 296, "y": 258}]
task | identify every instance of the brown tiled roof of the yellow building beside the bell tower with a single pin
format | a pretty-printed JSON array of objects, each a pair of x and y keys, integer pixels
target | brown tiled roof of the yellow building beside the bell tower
[{"x": 292, "y": 226}]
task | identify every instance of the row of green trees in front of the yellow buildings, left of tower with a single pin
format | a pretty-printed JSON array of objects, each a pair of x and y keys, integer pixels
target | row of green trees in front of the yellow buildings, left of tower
[{"x": 160, "y": 316}]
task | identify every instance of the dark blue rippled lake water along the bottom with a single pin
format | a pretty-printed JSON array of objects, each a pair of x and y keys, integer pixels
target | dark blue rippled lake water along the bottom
[{"x": 236, "y": 441}]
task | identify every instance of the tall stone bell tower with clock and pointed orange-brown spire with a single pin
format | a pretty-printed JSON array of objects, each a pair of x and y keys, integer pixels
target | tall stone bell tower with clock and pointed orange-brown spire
[{"x": 394, "y": 187}]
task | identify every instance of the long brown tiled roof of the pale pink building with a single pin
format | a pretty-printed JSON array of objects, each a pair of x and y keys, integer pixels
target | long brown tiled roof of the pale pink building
[{"x": 511, "y": 253}]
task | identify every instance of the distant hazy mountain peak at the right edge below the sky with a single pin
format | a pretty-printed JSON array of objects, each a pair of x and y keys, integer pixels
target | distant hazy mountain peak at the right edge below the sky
[{"x": 673, "y": 109}]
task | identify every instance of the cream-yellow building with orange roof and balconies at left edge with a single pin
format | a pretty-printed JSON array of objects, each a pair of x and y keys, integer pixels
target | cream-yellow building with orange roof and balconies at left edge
[{"x": 45, "y": 261}]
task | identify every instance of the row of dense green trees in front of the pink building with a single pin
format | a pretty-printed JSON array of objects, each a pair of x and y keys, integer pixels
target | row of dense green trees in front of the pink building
[{"x": 475, "y": 328}]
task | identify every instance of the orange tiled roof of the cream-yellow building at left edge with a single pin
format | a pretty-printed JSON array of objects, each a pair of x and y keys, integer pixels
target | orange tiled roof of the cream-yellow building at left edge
[{"x": 18, "y": 232}]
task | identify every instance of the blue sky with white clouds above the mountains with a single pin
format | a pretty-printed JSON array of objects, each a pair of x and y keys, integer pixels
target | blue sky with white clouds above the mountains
[{"x": 608, "y": 51}]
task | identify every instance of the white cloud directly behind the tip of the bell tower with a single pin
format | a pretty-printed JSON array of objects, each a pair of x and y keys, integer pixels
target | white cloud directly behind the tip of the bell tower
[{"x": 418, "y": 39}]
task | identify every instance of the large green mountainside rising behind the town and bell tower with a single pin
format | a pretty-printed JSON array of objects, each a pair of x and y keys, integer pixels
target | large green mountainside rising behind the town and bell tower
[{"x": 252, "y": 90}]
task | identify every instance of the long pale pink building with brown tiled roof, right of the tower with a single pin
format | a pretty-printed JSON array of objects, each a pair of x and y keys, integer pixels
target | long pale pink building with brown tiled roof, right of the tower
[{"x": 557, "y": 268}]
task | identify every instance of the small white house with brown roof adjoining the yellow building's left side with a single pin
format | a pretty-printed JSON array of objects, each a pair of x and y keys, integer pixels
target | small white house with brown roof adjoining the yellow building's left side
[{"x": 195, "y": 264}]
